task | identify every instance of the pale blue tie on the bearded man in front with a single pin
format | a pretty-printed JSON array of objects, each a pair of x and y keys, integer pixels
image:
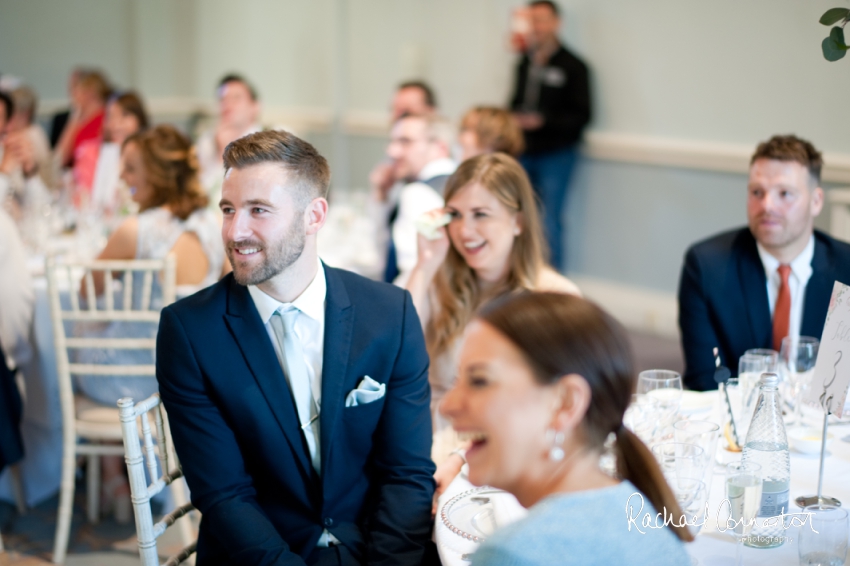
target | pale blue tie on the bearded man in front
[{"x": 295, "y": 369}]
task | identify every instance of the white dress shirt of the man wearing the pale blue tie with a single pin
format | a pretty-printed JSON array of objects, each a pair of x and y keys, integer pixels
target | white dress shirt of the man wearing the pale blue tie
[{"x": 310, "y": 330}]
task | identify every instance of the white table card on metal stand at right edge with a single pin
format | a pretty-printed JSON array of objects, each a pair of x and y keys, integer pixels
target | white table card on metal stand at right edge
[{"x": 832, "y": 370}]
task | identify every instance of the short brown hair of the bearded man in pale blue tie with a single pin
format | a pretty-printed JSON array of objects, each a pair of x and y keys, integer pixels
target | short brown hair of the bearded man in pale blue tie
[{"x": 297, "y": 157}]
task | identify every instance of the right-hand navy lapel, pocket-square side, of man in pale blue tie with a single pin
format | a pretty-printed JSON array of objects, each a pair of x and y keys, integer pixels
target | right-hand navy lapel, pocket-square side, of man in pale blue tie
[{"x": 339, "y": 320}]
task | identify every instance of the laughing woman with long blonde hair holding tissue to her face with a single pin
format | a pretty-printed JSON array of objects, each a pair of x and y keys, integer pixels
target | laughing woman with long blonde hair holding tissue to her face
[{"x": 493, "y": 245}]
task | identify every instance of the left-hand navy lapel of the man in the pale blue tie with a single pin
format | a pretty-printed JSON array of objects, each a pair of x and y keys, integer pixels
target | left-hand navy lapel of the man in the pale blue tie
[{"x": 248, "y": 330}]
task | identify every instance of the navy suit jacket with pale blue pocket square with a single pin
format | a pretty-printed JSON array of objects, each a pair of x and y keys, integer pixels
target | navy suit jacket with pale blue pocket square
[{"x": 236, "y": 432}]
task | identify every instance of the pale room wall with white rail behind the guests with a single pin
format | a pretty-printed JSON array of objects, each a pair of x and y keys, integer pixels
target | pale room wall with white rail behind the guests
[{"x": 712, "y": 78}]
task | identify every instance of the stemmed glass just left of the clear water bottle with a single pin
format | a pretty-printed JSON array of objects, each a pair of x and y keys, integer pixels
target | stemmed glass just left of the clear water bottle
[{"x": 743, "y": 490}]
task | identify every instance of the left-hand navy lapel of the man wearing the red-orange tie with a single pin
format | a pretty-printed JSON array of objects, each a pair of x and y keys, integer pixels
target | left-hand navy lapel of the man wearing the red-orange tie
[{"x": 754, "y": 287}]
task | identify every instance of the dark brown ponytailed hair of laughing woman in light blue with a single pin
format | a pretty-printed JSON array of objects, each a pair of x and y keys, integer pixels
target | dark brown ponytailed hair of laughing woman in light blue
[{"x": 564, "y": 334}]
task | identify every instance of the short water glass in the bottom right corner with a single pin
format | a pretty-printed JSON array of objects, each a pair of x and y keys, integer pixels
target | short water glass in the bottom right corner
[{"x": 827, "y": 546}]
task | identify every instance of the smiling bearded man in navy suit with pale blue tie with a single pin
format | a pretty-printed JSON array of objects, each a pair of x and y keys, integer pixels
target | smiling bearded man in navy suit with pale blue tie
[{"x": 297, "y": 393}]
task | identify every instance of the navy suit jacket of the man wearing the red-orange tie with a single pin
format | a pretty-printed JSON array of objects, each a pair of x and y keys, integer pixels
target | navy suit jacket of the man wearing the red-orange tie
[{"x": 723, "y": 300}]
